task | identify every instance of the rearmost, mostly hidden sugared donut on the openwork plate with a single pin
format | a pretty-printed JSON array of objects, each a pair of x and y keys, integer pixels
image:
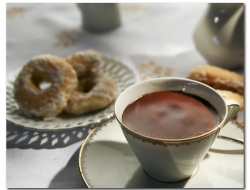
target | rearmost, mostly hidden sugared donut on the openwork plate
[{"x": 84, "y": 61}]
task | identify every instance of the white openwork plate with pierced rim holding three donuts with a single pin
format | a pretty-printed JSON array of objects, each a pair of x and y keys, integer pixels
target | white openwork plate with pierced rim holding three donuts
[{"x": 122, "y": 74}]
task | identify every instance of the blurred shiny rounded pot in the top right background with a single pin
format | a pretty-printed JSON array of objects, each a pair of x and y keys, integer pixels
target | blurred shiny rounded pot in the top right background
[{"x": 219, "y": 35}]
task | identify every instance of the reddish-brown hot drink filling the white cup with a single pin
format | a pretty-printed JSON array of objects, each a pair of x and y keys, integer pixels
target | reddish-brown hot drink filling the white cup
[{"x": 170, "y": 115}]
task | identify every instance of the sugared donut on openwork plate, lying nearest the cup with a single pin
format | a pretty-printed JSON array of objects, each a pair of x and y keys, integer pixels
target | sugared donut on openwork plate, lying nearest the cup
[{"x": 95, "y": 91}]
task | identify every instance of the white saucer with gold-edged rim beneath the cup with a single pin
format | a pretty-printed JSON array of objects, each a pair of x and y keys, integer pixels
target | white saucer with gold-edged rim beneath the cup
[{"x": 107, "y": 161}]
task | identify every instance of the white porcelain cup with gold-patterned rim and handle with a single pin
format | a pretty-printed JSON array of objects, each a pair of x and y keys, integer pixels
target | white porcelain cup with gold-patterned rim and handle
[{"x": 171, "y": 160}]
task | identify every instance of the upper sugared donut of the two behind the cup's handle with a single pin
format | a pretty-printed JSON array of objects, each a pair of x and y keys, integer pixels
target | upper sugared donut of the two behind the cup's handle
[{"x": 218, "y": 78}]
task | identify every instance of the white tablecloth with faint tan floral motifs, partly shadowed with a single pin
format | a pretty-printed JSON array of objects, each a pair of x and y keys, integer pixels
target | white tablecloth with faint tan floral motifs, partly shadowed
[{"x": 49, "y": 159}]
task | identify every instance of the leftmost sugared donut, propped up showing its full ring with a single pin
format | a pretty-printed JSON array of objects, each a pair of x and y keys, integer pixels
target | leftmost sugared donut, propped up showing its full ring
[{"x": 35, "y": 100}]
